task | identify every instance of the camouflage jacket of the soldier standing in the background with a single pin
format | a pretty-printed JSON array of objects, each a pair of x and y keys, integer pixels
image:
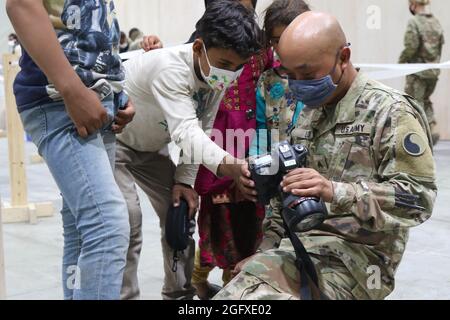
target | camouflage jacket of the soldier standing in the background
[{"x": 424, "y": 40}]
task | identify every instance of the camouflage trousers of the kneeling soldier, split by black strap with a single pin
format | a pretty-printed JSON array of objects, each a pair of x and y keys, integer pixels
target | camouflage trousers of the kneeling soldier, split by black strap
[{"x": 272, "y": 275}]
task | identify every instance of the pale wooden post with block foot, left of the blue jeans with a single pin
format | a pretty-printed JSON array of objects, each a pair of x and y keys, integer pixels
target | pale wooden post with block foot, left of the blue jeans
[{"x": 19, "y": 210}]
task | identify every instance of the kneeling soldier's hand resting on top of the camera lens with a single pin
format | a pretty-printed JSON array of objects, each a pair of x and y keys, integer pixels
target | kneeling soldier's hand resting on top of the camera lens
[{"x": 308, "y": 183}]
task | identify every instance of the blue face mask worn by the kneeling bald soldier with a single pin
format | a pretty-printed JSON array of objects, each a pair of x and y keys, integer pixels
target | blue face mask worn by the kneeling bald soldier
[{"x": 314, "y": 93}]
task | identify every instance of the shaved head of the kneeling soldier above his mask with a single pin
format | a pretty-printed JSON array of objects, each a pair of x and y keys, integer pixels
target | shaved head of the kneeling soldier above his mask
[{"x": 314, "y": 46}]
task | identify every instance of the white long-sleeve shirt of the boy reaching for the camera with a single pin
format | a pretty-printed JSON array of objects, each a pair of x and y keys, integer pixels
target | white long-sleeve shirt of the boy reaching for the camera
[{"x": 172, "y": 105}]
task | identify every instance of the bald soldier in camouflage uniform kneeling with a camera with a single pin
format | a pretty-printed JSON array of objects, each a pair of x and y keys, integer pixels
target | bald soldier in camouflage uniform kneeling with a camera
[{"x": 370, "y": 160}]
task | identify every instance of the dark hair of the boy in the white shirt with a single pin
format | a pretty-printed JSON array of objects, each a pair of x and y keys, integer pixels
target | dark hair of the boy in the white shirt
[{"x": 227, "y": 24}]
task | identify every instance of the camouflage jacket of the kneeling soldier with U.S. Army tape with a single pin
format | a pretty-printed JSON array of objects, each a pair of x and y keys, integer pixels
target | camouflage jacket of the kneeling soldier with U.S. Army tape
[{"x": 375, "y": 146}]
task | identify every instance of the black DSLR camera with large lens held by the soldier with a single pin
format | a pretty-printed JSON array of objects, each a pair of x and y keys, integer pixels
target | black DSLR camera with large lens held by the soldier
[{"x": 300, "y": 214}]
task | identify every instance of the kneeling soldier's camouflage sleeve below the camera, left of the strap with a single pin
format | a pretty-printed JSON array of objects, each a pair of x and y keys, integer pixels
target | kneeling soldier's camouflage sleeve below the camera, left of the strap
[{"x": 273, "y": 227}]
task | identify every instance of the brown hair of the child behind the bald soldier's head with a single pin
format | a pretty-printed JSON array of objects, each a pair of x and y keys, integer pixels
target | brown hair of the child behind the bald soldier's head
[{"x": 282, "y": 13}]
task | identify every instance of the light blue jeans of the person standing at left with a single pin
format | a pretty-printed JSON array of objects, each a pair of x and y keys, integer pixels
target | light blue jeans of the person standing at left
[{"x": 95, "y": 216}]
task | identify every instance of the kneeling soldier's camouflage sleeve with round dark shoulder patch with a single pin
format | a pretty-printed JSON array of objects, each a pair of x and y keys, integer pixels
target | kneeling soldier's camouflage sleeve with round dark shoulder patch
[{"x": 405, "y": 167}]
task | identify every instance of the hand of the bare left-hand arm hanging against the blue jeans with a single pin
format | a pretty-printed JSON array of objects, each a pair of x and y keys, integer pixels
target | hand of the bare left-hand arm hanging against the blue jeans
[{"x": 85, "y": 109}]
